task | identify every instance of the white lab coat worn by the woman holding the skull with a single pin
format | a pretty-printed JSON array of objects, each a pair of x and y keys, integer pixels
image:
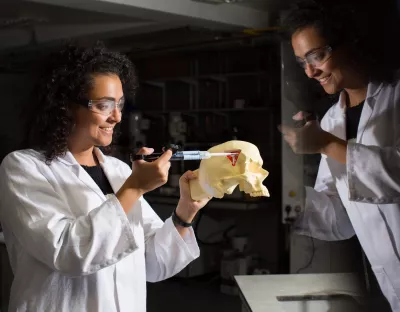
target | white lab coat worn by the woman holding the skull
[{"x": 71, "y": 248}]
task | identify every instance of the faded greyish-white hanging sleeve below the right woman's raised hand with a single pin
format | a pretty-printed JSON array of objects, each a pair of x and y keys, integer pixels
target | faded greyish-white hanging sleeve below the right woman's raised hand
[{"x": 324, "y": 215}]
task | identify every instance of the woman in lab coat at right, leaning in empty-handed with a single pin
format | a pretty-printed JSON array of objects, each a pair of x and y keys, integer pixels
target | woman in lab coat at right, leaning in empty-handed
[{"x": 357, "y": 191}]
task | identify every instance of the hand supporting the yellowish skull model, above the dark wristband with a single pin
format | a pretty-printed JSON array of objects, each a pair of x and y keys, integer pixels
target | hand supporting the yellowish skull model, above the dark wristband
[{"x": 187, "y": 207}]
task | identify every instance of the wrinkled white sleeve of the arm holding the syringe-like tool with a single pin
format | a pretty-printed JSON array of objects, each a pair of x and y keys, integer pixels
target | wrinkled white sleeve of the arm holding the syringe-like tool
[{"x": 44, "y": 225}]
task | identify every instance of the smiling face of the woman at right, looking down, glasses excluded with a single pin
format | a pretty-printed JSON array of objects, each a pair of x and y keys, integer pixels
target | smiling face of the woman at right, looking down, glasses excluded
[{"x": 336, "y": 73}]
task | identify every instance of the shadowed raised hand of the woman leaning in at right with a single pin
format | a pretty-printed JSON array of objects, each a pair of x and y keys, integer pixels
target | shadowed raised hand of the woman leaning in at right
[{"x": 309, "y": 139}]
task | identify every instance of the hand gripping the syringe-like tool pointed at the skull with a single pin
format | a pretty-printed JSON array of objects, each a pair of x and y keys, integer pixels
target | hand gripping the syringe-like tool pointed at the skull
[{"x": 147, "y": 176}]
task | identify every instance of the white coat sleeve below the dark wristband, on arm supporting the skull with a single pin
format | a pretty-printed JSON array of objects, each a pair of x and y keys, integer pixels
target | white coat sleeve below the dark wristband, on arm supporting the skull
[{"x": 167, "y": 253}]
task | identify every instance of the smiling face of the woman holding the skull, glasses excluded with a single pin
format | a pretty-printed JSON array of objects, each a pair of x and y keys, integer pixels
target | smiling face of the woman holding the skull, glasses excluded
[{"x": 95, "y": 129}]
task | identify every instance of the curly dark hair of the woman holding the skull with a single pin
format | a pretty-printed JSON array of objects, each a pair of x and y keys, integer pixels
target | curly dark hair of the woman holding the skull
[{"x": 67, "y": 76}]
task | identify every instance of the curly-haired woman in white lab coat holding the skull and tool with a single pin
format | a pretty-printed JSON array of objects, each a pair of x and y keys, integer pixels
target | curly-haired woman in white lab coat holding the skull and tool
[{"x": 79, "y": 233}]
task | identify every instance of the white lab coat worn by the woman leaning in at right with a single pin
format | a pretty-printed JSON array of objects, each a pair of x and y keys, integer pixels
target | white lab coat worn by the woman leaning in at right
[{"x": 363, "y": 196}]
